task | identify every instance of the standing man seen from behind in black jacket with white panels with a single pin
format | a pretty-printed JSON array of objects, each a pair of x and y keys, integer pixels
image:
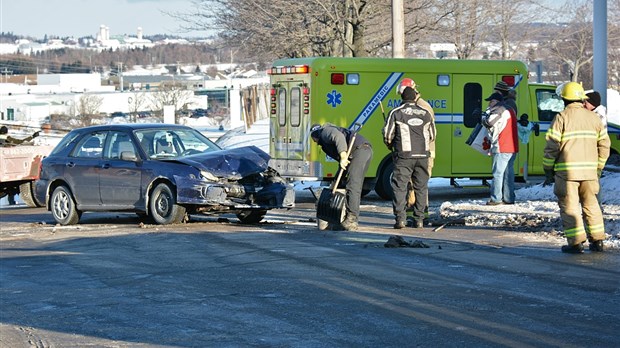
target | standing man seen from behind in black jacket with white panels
[{"x": 409, "y": 130}]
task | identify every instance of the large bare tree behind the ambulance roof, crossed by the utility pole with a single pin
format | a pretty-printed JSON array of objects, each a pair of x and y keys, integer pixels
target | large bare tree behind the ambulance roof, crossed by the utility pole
[{"x": 281, "y": 28}]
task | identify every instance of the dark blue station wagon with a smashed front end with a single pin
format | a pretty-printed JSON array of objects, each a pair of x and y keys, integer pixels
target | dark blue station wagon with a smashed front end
[{"x": 162, "y": 172}]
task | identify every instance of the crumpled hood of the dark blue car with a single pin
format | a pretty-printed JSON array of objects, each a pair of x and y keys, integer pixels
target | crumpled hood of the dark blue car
[{"x": 230, "y": 163}]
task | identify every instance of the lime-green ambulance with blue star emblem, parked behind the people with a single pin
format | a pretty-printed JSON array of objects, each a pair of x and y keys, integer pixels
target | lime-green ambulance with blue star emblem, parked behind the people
[{"x": 362, "y": 91}]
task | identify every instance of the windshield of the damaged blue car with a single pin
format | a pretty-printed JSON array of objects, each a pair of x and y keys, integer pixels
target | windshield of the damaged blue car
[{"x": 172, "y": 143}]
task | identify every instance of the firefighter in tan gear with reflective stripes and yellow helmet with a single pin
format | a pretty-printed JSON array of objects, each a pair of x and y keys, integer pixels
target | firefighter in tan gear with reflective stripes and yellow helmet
[{"x": 574, "y": 156}]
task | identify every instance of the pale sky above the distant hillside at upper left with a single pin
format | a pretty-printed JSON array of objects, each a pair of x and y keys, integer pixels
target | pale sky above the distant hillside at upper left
[{"x": 79, "y": 18}]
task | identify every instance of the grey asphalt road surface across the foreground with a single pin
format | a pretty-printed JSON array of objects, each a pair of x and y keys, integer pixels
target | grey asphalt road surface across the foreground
[{"x": 112, "y": 282}]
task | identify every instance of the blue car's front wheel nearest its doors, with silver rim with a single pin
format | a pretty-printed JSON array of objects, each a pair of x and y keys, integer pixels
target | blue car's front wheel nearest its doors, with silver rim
[{"x": 163, "y": 208}]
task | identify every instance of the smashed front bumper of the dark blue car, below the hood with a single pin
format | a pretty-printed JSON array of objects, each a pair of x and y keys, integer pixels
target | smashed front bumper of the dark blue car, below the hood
[{"x": 200, "y": 192}]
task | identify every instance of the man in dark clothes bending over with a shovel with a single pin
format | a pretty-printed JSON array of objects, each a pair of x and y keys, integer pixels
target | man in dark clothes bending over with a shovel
[{"x": 335, "y": 141}]
